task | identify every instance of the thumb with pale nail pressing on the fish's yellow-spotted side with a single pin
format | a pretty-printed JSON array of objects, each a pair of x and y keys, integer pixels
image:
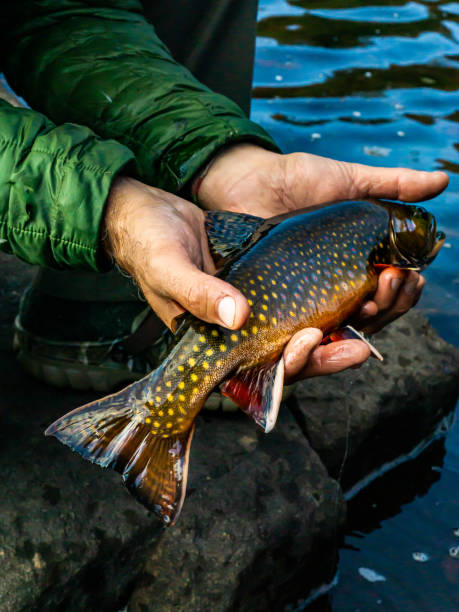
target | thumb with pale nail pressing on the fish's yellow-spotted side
[{"x": 207, "y": 297}]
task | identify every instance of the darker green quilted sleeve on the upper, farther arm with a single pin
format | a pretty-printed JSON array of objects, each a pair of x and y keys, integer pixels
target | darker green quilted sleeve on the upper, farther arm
[{"x": 101, "y": 64}]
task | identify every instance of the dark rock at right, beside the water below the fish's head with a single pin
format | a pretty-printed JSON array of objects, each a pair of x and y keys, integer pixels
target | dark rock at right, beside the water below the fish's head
[{"x": 359, "y": 420}]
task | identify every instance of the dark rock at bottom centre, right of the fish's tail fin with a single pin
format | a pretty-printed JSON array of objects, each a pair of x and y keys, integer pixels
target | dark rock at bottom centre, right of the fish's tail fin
[{"x": 265, "y": 524}]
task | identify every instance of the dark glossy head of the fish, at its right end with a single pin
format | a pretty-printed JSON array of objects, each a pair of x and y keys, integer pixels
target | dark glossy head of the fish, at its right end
[{"x": 413, "y": 241}]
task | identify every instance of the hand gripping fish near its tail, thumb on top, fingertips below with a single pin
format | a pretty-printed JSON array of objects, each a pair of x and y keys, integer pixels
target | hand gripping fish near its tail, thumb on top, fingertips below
[{"x": 160, "y": 240}]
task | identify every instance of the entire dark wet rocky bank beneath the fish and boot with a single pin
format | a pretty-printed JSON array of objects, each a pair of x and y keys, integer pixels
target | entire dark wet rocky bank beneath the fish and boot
[{"x": 263, "y": 516}]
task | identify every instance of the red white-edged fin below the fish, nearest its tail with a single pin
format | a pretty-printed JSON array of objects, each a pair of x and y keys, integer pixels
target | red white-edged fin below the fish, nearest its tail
[{"x": 258, "y": 392}]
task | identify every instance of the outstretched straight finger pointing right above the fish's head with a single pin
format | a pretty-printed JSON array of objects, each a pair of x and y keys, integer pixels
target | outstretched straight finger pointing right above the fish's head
[{"x": 396, "y": 183}]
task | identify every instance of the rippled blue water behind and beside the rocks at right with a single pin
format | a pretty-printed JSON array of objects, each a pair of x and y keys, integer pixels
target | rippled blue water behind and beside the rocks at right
[{"x": 377, "y": 83}]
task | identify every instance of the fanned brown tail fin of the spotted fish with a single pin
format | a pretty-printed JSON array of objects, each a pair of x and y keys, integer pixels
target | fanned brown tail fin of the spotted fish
[{"x": 115, "y": 432}]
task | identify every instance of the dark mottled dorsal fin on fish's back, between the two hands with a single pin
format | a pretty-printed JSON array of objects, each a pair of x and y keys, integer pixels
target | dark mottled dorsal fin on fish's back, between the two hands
[{"x": 230, "y": 233}]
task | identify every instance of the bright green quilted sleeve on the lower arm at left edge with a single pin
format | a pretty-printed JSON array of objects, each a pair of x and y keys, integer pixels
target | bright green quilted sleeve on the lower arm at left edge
[{"x": 54, "y": 181}]
